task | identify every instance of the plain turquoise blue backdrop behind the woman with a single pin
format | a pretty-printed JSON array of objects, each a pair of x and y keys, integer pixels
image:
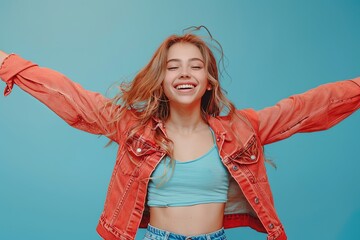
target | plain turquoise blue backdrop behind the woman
[{"x": 53, "y": 179}]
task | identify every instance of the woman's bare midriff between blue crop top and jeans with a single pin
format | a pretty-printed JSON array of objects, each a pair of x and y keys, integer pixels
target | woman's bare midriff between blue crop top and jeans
[{"x": 188, "y": 220}]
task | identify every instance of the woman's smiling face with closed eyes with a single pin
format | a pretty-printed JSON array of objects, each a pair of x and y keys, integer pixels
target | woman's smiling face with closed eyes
[{"x": 185, "y": 79}]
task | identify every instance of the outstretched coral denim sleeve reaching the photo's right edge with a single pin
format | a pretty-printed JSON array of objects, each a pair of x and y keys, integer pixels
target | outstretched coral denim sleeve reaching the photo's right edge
[{"x": 315, "y": 110}]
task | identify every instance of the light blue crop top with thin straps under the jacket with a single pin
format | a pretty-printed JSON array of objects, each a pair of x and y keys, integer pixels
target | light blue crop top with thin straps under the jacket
[{"x": 202, "y": 180}]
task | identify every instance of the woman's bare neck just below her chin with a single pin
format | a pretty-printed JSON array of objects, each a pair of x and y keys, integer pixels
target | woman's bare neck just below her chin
[{"x": 185, "y": 120}]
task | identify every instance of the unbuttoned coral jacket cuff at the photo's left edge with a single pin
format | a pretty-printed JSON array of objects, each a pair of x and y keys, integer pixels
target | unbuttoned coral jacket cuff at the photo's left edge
[{"x": 11, "y": 66}]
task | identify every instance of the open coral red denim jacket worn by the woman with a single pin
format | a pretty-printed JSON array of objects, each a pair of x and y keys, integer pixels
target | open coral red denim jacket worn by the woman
[{"x": 239, "y": 139}]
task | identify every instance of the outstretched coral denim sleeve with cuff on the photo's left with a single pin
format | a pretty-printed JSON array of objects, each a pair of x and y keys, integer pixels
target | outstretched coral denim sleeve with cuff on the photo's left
[{"x": 82, "y": 109}]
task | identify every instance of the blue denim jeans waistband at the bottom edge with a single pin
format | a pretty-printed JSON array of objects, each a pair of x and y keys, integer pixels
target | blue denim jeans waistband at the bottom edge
[{"x": 153, "y": 233}]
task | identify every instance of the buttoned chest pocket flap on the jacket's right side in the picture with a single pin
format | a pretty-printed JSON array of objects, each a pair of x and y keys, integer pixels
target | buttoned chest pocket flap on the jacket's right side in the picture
[{"x": 249, "y": 154}]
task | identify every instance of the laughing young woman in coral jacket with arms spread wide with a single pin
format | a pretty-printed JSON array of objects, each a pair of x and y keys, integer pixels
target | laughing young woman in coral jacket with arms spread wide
[{"x": 184, "y": 169}]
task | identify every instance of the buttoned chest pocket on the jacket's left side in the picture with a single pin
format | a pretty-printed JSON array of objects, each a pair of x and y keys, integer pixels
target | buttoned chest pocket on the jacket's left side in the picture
[{"x": 136, "y": 151}]
